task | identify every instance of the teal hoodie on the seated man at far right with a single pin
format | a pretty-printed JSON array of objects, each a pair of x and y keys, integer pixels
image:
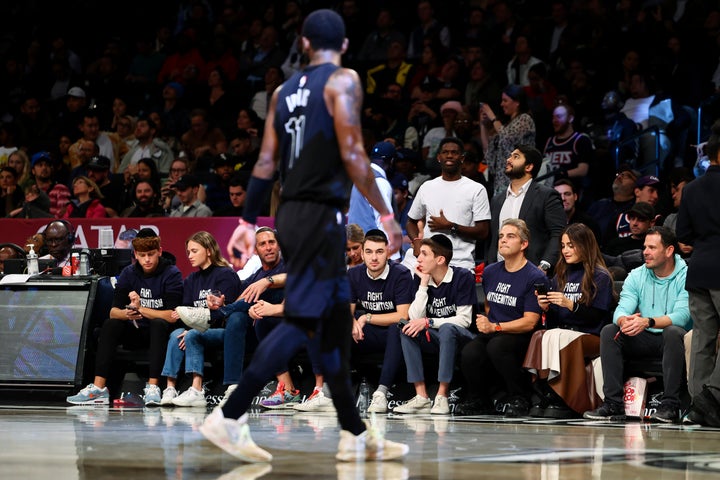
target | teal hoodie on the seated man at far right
[{"x": 655, "y": 297}]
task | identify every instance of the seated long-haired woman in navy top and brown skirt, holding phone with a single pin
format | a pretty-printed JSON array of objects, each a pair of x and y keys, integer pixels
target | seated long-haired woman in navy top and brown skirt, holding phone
[{"x": 579, "y": 303}]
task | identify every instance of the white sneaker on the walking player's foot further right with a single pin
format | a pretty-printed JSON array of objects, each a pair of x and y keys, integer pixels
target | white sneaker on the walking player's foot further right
[{"x": 369, "y": 445}]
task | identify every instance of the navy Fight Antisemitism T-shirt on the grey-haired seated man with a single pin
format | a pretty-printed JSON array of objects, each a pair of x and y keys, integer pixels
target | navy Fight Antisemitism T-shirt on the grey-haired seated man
[{"x": 511, "y": 294}]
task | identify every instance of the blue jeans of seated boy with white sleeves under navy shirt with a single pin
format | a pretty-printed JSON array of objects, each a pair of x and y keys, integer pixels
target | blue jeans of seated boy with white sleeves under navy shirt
[{"x": 445, "y": 340}]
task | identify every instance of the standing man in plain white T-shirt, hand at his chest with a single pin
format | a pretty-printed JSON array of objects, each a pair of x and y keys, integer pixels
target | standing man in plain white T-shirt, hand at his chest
[{"x": 452, "y": 205}]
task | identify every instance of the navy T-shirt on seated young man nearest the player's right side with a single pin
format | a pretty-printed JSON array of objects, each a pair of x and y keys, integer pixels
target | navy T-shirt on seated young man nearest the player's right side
[{"x": 381, "y": 295}]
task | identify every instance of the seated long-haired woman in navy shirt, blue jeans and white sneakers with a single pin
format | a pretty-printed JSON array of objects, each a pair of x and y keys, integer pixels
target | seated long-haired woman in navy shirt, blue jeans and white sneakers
[{"x": 213, "y": 276}]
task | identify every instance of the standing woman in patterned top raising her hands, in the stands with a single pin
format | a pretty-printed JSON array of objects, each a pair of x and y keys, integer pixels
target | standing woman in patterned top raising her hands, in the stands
[{"x": 500, "y": 139}]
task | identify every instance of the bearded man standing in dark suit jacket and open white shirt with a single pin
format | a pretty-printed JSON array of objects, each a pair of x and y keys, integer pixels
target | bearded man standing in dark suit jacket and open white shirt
[{"x": 538, "y": 205}]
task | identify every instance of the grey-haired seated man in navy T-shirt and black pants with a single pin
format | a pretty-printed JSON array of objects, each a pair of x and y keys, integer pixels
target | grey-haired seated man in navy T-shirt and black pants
[{"x": 492, "y": 361}]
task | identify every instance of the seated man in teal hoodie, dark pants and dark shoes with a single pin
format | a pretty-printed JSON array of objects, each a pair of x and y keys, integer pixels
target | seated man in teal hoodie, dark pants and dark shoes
[{"x": 651, "y": 319}]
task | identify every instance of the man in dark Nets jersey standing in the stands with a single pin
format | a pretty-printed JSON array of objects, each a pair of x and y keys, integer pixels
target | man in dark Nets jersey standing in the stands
[{"x": 570, "y": 152}]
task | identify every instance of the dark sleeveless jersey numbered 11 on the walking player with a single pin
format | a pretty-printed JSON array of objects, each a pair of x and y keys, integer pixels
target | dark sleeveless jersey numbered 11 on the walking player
[{"x": 311, "y": 168}]
